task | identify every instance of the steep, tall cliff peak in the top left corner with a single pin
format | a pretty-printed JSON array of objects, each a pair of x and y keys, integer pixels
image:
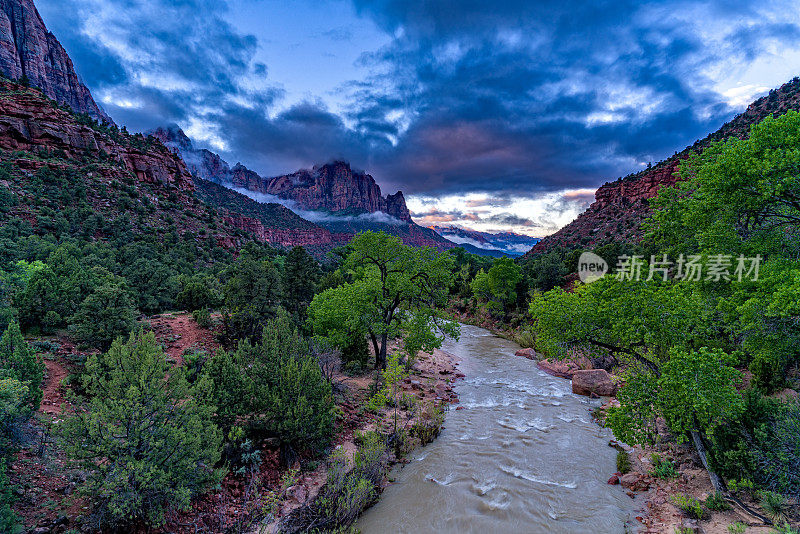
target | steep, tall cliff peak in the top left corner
[{"x": 28, "y": 49}]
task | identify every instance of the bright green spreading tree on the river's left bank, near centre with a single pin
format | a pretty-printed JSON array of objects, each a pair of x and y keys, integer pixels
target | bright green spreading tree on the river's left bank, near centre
[{"x": 395, "y": 290}]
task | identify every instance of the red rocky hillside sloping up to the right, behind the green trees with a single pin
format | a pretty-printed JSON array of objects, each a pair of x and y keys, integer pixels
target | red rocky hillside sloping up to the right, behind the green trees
[{"x": 622, "y": 205}]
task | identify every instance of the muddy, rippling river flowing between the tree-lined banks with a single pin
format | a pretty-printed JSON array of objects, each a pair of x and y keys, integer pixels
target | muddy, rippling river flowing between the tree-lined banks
[{"x": 523, "y": 456}]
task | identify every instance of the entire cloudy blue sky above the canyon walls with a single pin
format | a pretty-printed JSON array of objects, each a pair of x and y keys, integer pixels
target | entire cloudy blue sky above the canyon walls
[{"x": 500, "y": 115}]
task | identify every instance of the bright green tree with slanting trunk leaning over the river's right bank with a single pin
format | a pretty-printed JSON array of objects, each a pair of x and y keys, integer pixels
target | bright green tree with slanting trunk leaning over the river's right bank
[{"x": 661, "y": 332}]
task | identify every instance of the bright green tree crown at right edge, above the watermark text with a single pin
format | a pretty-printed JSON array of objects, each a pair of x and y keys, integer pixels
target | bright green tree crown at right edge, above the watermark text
[{"x": 739, "y": 196}]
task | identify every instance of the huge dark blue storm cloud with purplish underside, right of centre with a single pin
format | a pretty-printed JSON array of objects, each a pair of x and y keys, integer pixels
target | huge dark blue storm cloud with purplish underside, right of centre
[{"x": 506, "y": 92}]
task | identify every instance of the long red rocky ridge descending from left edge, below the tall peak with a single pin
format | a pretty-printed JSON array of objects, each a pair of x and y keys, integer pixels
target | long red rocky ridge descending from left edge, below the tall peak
[{"x": 134, "y": 176}]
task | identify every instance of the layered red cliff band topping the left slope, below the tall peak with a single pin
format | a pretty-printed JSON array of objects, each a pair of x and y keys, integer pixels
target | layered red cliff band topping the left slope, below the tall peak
[{"x": 28, "y": 122}]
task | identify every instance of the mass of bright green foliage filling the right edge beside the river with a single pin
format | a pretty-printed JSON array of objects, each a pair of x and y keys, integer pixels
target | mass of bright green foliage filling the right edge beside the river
[{"x": 684, "y": 341}]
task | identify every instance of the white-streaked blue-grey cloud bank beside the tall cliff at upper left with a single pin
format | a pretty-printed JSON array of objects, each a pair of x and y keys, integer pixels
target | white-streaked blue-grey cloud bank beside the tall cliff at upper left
[{"x": 154, "y": 62}]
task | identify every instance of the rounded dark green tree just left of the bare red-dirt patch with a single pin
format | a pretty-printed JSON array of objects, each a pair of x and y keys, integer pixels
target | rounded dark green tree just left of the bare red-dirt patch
[{"x": 106, "y": 314}]
